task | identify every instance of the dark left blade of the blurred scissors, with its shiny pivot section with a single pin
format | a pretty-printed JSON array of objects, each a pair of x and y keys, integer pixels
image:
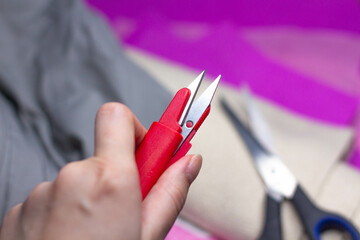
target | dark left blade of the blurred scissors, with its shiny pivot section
[{"x": 279, "y": 181}]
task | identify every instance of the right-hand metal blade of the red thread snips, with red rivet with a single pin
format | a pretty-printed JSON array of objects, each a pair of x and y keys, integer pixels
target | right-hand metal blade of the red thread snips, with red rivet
[{"x": 198, "y": 108}]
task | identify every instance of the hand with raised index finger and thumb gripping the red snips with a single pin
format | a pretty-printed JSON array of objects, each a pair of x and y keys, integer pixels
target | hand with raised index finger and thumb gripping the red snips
[{"x": 99, "y": 197}]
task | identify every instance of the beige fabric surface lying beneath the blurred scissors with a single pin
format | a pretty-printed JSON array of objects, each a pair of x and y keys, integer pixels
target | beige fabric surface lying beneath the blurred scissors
[{"x": 227, "y": 199}]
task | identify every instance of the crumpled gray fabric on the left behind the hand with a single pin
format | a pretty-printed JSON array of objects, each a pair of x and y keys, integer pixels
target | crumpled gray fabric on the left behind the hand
[{"x": 58, "y": 63}]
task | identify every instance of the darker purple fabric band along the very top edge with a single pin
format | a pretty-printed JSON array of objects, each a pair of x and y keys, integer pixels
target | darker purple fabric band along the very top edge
[{"x": 343, "y": 15}]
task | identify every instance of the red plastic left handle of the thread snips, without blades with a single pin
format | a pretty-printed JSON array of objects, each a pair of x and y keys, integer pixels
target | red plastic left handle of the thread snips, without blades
[{"x": 160, "y": 143}]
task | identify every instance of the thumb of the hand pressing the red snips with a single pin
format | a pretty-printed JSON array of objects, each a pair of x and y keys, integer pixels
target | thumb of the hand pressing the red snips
[{"x": 166, "y": 199}]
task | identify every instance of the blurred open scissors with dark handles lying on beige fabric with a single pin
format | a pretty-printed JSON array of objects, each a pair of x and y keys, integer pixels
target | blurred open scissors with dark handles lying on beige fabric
[{"x": 281, "y": 184}]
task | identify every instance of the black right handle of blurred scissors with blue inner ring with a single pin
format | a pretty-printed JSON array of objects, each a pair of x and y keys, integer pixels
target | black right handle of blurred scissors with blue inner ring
[{"x": 317, "y": 221}]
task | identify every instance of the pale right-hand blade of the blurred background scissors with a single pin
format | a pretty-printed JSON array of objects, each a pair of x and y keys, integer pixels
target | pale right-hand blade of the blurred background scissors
[{"x": 257, "y": 123}]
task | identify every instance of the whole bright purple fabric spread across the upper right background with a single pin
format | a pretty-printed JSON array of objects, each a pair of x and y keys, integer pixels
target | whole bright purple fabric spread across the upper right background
[{"x": 303, "y": 55}]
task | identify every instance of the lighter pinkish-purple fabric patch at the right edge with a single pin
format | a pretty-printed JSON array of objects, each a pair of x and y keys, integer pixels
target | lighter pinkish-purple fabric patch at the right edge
[{"x": 329, "y": 56}]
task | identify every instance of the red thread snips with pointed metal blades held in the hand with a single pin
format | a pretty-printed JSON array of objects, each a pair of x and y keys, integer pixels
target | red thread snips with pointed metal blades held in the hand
[{"x": 169, "y": 139}]
